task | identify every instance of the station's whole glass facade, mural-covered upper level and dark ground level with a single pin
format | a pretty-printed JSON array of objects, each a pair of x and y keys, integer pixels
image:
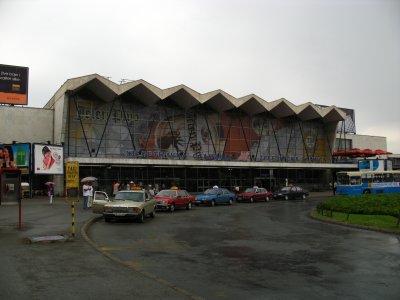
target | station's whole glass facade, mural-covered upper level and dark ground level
[{"x": 128, "y": 129}]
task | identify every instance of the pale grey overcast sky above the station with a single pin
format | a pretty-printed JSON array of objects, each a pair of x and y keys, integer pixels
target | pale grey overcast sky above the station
[{"x": 332, "y": 52}]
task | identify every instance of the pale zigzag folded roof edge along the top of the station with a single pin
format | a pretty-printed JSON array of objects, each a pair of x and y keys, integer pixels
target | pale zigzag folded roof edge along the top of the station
[{"x": 186, "y": 98}]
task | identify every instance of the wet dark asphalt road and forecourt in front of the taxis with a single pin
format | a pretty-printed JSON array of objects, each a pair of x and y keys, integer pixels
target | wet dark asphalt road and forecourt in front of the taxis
[{"x": 268, "y": 250}]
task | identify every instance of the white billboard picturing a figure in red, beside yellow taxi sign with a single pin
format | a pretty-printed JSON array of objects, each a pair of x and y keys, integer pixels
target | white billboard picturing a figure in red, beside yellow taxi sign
[{"x": 48, "y": 159}]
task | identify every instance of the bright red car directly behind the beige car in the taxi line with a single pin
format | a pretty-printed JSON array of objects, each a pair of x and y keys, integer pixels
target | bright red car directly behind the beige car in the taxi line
[{"x": 172, "y": 199}]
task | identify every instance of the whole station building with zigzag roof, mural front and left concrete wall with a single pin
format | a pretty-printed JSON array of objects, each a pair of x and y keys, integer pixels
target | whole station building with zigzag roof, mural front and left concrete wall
[{"x": 176, "y": 136}]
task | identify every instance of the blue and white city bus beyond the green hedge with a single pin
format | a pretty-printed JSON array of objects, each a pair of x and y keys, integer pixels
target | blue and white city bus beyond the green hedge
[{"x": 367, "y": 182}]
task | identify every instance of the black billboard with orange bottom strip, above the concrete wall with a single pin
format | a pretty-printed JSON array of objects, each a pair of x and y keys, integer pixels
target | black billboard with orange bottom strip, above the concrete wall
[{"x": 13, "y": 85}]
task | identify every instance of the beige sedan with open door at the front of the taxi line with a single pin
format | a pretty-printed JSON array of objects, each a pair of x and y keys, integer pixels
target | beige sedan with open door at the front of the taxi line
[{"x": 133, "y": 204}]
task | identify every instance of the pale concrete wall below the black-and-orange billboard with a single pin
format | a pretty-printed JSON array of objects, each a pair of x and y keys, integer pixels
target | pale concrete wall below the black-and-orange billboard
[{"x": 26, "y": 124}]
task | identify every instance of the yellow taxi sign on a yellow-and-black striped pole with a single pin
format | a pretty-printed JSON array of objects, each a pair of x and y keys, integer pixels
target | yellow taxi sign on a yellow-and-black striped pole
[{"x": 72, "y": 186}]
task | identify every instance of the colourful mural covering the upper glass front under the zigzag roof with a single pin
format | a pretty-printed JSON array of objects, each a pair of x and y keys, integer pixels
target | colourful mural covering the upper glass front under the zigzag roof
[{"x": 121, "y": 129}]
